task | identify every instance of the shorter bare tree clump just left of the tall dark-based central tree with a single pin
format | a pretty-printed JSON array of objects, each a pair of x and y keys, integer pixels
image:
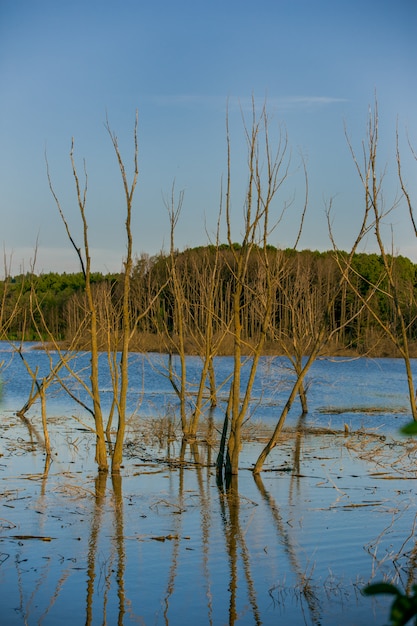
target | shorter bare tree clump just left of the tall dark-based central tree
[{"x": 194, "y": 283}]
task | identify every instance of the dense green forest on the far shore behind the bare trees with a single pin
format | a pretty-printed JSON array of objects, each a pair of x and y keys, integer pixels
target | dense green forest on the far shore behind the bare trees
[{"x": 60, "y": 295}]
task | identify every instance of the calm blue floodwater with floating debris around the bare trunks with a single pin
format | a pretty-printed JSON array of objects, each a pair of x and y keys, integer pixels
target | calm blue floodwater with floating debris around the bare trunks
[{"x": 163, "y": 544}]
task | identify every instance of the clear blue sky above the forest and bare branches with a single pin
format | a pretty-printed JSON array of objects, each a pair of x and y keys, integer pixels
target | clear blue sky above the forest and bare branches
[{"x": 64, "y": 66}]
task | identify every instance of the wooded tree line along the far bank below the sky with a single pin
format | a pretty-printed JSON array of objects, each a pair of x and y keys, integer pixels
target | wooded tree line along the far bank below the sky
[{"x": 61, "y": 298}]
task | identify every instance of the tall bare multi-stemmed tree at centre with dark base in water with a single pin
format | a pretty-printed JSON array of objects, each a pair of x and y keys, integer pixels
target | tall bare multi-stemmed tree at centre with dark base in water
[{"x": 268, "y": 169}]
